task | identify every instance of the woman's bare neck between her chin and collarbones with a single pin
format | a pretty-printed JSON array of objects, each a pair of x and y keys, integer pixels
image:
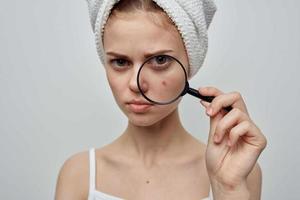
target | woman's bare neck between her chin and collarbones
[{"x": 155, "y": 142}]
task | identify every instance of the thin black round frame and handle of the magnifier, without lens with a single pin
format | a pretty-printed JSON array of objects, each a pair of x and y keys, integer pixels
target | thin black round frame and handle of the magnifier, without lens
[{"x": 186, "y": 89}]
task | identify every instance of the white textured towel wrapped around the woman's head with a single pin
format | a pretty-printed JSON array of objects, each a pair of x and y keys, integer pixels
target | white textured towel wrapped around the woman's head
[{"x": 191, "y": 17}]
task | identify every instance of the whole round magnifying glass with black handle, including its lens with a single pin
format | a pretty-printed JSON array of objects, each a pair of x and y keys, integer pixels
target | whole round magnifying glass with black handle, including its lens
[{"x": 162, "y": 79}]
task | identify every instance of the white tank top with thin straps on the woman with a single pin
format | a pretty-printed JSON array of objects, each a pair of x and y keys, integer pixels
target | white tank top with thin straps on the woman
[{"x": 97, "y": 195}]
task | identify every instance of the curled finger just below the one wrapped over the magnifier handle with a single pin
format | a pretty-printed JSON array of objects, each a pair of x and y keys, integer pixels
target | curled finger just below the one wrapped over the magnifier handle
[{"x": 231, "y": 119}]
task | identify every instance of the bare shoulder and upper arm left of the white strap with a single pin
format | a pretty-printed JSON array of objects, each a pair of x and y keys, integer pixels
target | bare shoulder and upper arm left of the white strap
[{"x": 73, "y": 181}]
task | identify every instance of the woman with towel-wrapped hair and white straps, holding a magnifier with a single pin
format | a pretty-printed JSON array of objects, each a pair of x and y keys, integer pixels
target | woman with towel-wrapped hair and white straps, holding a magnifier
[{"x": 155, "y": 157}]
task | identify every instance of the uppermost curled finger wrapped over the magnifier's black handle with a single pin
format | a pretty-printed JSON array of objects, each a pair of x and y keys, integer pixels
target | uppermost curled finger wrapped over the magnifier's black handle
[{"x": 233, "y": 99}]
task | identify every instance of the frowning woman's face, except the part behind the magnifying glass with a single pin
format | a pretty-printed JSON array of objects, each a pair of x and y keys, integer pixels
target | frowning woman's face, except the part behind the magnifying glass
[{"x": 128, "y": 41}]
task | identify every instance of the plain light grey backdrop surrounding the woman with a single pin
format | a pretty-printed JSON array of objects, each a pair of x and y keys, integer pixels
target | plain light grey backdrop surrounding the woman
[{"x": 55, "y": 100}]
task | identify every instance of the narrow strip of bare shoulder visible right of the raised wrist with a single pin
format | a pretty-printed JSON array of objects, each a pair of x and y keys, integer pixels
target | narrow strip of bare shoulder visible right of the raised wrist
[{"x": 254, "y": 182}]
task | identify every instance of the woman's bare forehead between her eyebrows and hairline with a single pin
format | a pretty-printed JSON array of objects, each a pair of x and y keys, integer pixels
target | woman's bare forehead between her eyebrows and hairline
[{"x": 139, "y": 32}]
